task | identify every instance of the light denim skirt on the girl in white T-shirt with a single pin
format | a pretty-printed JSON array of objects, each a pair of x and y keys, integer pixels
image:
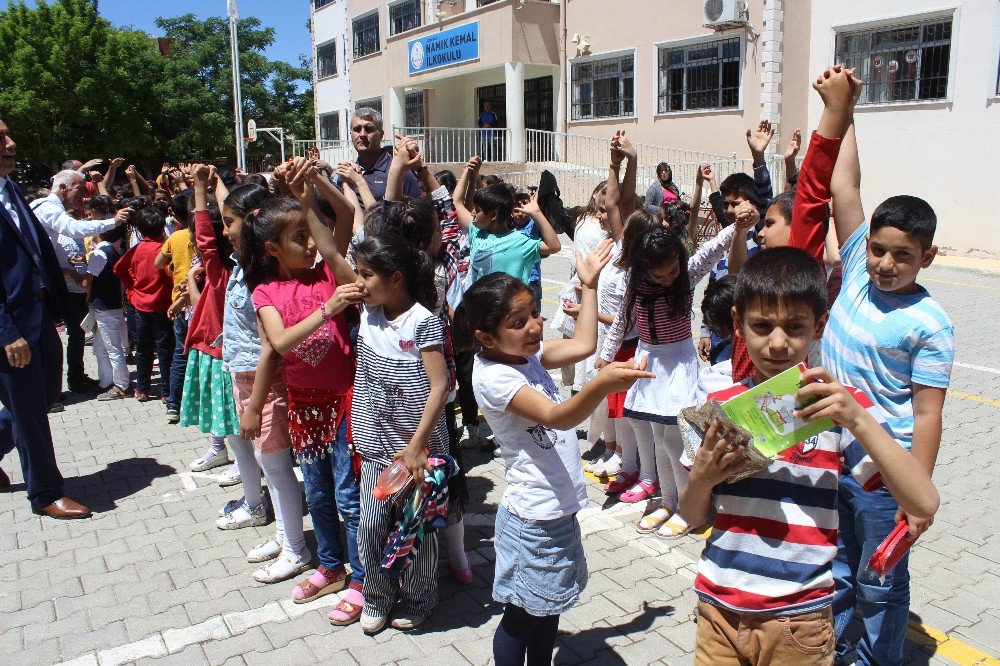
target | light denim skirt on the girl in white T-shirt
[{"x": 540, "y": 564}]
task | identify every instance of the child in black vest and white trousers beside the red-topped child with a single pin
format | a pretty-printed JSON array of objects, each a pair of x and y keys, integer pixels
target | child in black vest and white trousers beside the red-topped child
[{"x": 105, "y": 295}]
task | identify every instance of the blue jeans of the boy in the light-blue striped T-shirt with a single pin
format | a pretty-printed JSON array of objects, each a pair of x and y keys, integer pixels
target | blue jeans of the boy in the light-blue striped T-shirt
[{"x": 866, "y": 519}]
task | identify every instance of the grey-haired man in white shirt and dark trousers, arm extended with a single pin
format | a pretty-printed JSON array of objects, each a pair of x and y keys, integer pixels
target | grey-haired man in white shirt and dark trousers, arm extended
[{"x": 64, "y": 230}]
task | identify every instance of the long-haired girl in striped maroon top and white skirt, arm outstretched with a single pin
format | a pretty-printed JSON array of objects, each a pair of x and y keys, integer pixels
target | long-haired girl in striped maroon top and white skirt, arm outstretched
[{"x": 658, "y": 298}]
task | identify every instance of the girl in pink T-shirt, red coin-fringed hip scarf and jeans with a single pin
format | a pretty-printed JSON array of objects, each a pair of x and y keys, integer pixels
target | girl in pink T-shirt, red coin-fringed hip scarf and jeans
[{"x": 301, "y": 306}]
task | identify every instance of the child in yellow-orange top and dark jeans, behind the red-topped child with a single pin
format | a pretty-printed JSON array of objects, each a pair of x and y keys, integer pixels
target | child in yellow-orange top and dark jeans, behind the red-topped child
[{"x": 175, "y": 257}]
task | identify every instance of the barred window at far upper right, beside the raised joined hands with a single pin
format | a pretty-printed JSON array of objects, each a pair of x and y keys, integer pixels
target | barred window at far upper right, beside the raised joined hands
[{"x": 899, "y": 63}]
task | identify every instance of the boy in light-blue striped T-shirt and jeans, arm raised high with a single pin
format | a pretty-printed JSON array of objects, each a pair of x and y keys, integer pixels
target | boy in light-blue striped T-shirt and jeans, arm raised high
[{"x": 891, "y": 339}]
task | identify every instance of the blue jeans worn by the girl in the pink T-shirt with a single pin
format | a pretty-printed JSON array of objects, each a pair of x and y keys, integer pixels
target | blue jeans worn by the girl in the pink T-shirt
[{"x": 331, "y": 486}]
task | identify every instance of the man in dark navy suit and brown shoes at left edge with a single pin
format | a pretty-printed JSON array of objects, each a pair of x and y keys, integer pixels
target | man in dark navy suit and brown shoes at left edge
[{"x": 31, "y": 362}]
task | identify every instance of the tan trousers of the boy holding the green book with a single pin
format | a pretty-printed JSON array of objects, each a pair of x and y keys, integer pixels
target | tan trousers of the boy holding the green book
[{"x": 726, "y": 638}]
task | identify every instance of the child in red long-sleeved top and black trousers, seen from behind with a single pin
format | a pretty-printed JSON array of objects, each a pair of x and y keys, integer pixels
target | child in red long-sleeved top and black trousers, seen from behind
[{"x": 148, "y": 289}]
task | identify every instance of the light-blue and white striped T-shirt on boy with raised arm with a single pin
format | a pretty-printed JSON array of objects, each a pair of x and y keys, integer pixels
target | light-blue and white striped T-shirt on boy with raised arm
[{"x": 884, "y": 343}]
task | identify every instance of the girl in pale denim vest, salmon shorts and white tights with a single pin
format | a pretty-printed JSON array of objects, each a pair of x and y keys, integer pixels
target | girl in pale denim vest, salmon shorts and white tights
[{"x": 261, "y": 401}]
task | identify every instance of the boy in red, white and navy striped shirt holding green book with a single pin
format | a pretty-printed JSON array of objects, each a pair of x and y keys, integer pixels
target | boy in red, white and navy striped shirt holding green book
[{"x": 765, "y": 583}]
